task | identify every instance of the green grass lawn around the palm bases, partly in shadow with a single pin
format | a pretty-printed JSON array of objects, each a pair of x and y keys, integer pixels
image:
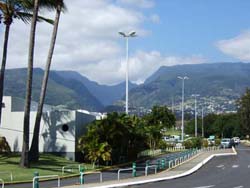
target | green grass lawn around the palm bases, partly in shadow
[{"x": 47, "y": 165}]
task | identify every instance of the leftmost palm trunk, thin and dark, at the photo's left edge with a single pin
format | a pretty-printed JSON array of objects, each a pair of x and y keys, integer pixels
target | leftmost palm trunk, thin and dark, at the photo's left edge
[{"x": 5, "y": 48}]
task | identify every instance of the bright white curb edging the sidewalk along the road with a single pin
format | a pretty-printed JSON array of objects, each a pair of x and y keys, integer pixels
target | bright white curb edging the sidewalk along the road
[{"x": 192, "y": 170}]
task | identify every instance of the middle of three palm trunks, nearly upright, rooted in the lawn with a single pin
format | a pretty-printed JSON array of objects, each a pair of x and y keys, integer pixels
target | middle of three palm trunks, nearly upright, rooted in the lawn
[{"x": 24, "y": 162}]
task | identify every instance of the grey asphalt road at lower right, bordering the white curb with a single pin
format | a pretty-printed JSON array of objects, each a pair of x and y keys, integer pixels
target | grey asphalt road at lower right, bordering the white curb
[{"x": 220, "y": 172}]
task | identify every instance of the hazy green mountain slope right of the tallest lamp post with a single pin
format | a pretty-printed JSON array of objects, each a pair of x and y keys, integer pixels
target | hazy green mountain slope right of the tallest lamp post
[{"x": 226, "y": 80}]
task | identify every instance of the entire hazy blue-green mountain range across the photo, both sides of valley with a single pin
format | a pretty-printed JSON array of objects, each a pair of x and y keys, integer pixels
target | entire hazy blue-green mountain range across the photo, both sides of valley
[{"x": 218, "y": 80}]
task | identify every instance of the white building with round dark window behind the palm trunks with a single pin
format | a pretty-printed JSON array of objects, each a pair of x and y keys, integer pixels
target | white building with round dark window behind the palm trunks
[{"x": 59, "y": 129}]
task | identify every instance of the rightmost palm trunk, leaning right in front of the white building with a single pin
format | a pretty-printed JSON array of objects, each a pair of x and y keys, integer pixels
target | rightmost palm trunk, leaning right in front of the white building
[{"x": 34, "y": 150}]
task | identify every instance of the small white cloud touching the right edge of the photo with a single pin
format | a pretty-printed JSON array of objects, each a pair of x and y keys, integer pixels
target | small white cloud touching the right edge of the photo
[{"x": 237, "y": 47}]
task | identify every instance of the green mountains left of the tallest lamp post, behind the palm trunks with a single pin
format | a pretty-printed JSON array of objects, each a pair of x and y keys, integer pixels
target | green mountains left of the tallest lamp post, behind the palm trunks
[{"x": 67, "y": 88}]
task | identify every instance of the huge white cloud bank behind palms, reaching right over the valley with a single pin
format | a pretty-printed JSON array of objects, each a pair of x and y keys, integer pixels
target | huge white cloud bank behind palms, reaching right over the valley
[{"x": 88, "y": 42}]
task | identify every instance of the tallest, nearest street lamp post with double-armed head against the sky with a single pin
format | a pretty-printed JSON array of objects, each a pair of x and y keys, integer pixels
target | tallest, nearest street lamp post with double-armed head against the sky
[{"x": 126, "y": 36}]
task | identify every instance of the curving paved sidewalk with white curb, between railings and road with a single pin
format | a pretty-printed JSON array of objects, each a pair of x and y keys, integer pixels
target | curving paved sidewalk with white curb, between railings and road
[{"x": 184, "y": 169}]
